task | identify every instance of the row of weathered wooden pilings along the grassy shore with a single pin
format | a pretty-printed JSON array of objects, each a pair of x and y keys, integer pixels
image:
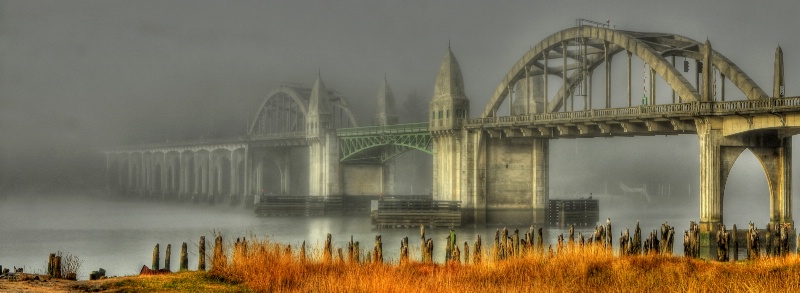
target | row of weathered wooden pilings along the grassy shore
[{"x": 507, "y": 245}]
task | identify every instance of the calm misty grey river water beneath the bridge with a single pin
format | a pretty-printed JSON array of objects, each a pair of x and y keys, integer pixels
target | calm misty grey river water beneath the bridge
[{"x": 119, "y": 235}]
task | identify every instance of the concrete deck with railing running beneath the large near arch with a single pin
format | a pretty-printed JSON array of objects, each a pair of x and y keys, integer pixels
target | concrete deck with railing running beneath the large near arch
[{"x": 662, "y": 119}]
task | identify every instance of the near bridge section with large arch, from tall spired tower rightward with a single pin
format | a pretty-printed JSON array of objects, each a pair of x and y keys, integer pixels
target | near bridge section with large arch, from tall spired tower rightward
[{"x": 498, "y": 164}]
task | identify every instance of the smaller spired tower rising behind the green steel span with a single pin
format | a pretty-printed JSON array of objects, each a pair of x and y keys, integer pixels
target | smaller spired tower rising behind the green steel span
[{"x": 385, "y": 114}]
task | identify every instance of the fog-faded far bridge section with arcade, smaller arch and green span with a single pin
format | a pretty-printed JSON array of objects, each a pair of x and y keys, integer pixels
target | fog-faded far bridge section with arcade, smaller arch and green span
[{"x": 302, "y": 141}]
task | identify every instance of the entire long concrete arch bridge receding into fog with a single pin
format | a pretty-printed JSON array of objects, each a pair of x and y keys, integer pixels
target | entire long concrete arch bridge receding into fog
[{"x": 497, "y": 164}]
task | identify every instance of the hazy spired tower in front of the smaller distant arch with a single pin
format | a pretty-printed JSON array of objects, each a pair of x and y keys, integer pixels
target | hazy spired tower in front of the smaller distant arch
[{"x": 323, "y": 155}]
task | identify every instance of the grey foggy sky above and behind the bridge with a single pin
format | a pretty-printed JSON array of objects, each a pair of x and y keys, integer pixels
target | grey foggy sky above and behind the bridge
[{"x": 89, "y": 74}]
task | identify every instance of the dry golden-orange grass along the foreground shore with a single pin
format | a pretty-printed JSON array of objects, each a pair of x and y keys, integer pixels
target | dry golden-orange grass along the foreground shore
[{"x": 271, "y": 267}]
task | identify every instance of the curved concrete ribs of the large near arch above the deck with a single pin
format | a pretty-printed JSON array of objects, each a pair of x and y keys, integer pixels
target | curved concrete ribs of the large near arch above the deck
[{"x": 652, "y": 48}]
